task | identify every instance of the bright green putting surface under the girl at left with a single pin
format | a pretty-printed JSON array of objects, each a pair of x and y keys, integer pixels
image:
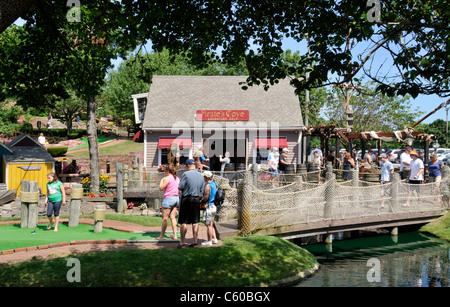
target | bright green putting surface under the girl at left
[{"x": 12, "y": 236}]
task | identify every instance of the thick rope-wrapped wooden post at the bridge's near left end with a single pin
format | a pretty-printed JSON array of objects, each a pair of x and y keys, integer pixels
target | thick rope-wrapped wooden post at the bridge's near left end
[{"x": 244, "y": 201}]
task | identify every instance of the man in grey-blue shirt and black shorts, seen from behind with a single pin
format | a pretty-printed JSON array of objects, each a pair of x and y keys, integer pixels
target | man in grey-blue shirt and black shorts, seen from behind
[{"x": 190, "y": 187}]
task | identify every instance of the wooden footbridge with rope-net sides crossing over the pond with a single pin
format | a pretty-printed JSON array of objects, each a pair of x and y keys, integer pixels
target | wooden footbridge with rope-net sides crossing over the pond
[{"x": 301, "y": 208}]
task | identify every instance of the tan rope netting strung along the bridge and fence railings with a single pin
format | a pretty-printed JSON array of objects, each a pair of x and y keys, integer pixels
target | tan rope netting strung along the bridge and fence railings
[{"x": 260, "y": 199}]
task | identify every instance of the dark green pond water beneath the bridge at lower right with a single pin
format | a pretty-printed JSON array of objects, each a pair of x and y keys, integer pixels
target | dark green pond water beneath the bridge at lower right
[{"x": 407, "y": 260}]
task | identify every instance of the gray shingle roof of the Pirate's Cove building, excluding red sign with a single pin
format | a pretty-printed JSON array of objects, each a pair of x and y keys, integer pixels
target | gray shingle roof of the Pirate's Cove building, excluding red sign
[{"x": 176, "y": 99}]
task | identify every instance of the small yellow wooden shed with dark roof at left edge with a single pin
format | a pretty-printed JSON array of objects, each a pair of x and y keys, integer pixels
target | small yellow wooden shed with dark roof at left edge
[{"x": 26, "y": 159}]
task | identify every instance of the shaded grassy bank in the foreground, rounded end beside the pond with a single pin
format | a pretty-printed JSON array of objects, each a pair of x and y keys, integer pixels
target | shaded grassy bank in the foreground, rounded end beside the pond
[{"x": 238, "y": 262}]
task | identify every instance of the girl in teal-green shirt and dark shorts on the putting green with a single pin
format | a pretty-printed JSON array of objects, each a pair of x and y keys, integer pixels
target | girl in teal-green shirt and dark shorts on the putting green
[{"x": 56, "y": 195}]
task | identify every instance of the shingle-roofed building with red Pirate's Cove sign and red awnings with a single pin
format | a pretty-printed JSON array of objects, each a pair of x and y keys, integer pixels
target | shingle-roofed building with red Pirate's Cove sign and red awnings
[{"x": 214, "y": 112}]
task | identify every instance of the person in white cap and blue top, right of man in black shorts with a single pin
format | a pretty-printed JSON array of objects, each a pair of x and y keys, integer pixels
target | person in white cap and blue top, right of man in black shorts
[{"x": 209, "y": 194}]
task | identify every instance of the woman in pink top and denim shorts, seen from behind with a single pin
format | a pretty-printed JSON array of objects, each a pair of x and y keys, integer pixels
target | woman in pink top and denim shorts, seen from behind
[{"x": 169, "y": 185}]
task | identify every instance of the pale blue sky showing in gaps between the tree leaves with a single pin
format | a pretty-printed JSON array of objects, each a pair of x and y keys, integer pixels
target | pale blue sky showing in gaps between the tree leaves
[{"x": 425, "y": 103}]
